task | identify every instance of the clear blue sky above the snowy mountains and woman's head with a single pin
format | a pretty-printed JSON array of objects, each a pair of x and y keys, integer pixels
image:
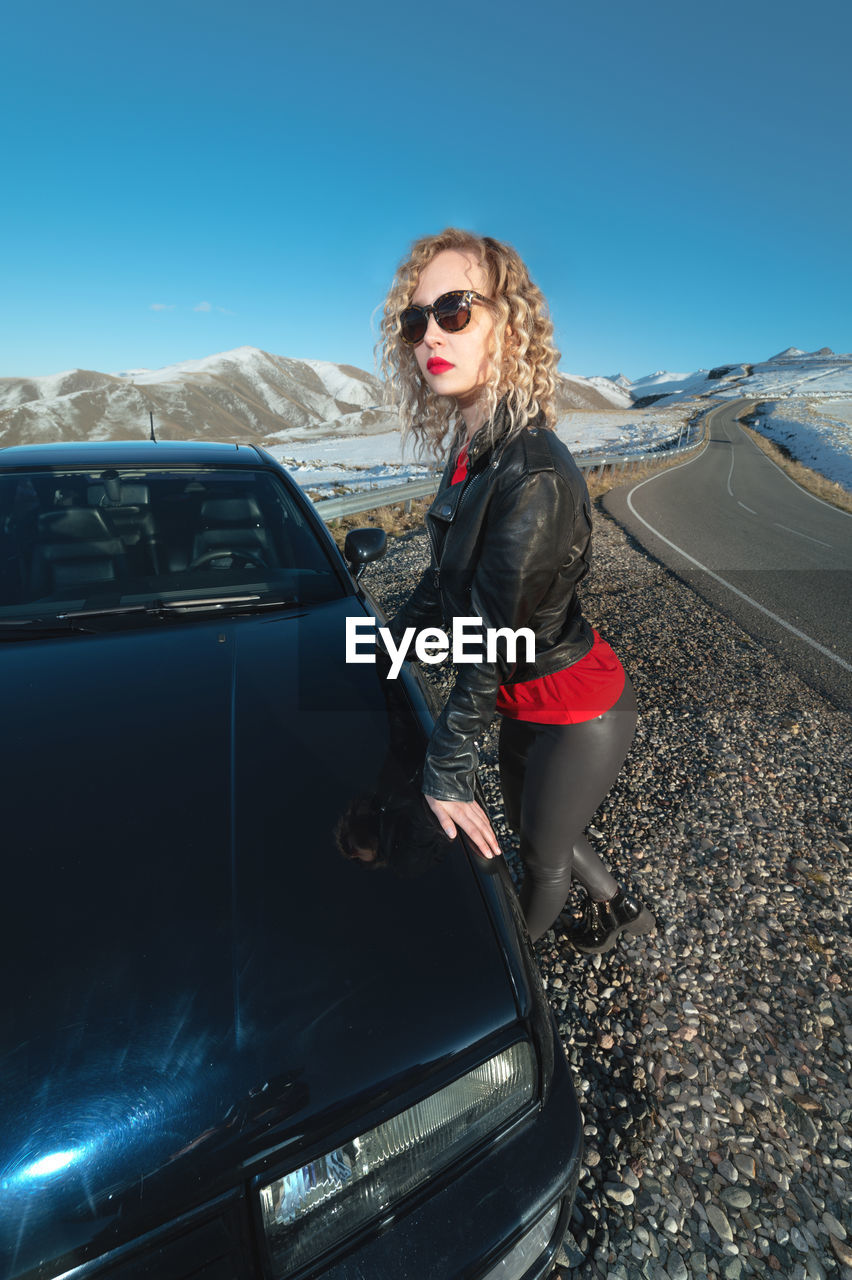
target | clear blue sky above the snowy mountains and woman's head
[{"x": 677, "y": 177}]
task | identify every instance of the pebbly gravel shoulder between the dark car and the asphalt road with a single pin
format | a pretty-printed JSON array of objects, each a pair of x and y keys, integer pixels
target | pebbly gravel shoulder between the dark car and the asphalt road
[{"x": 712, "y": 1059}]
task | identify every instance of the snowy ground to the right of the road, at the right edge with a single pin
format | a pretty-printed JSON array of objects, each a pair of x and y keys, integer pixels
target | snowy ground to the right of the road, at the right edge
[{"x": 818, "y": 433}]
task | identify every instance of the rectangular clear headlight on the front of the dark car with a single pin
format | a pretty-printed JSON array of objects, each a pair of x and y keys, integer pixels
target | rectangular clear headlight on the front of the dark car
[{"x": 313, "y": 1209}]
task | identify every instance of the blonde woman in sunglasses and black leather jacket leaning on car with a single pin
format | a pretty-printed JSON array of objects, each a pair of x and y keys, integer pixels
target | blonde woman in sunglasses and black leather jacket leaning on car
[{"x": 468, "y": 348}]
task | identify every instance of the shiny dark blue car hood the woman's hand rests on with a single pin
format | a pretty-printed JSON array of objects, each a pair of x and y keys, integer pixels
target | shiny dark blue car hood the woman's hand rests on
[{"x": 199, "y": 982}]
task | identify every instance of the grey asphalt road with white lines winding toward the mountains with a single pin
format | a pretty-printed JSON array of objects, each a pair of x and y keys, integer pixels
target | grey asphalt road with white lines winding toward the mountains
[{"x": 762, "y": 550}]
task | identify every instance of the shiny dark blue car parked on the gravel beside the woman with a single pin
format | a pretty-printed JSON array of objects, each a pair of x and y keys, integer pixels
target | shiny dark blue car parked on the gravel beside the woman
[{"x": 260, "y": 1018}]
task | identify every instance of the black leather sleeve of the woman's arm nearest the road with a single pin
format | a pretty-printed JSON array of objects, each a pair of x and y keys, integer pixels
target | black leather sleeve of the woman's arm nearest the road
[{"x": 529, "y": 527}]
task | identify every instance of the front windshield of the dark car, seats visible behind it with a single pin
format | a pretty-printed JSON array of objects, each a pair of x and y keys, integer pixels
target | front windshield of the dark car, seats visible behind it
[{"x": 77, "y": 541}]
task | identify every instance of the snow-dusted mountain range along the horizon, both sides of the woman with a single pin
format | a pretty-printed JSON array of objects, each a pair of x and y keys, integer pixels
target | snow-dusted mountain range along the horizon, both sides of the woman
[{"x": 253, "y": 396}]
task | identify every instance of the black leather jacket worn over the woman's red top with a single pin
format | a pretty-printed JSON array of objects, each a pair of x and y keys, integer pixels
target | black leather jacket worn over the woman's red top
[{"x": 510, "y": 546}]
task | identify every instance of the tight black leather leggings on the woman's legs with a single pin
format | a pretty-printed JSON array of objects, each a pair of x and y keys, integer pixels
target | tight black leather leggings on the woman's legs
[{"x": 553, "y": 779}]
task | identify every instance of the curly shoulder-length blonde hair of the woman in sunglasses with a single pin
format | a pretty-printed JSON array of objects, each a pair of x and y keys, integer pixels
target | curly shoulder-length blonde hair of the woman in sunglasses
[{"x": 524, "y": 358}]
